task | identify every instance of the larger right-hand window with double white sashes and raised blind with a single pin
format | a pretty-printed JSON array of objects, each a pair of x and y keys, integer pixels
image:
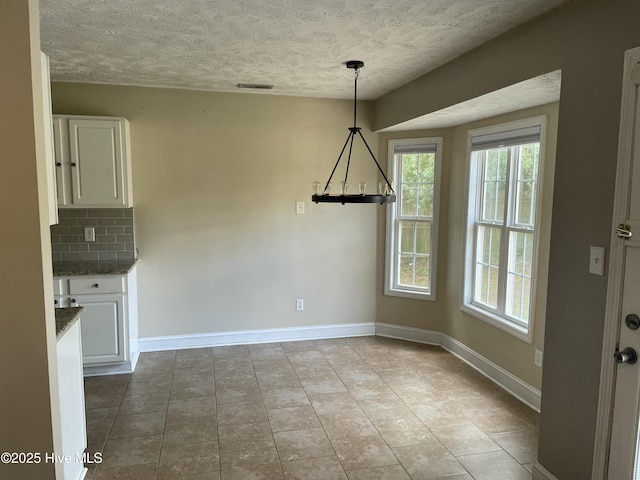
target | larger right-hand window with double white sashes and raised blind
[{"x": 502, "y": 228}]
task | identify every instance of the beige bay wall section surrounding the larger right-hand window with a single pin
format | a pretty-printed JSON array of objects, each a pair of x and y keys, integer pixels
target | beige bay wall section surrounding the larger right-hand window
[{"x": 504, "y": 349}]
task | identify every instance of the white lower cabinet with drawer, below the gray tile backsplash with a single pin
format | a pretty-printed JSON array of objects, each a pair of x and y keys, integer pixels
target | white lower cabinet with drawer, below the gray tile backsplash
[{"x": 109, "y": 321}]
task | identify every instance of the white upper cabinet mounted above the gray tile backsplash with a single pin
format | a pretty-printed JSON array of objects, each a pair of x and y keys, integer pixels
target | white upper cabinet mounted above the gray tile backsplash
[{"x": 93, "y": 161}]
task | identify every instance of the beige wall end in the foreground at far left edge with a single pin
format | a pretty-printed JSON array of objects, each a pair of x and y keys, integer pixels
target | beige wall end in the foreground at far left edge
[{"x": 27, "y": 343}]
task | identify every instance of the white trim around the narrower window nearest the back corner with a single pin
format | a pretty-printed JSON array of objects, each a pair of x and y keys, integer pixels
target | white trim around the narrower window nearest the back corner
[{"x": 390, "y": 286}]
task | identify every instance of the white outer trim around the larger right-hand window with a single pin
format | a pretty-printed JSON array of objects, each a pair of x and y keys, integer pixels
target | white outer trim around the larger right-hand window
[{"x": 522, "y": 332}]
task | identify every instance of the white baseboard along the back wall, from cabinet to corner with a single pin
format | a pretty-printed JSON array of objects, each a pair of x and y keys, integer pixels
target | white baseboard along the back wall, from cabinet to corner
[{"x": 178, "y": 342}]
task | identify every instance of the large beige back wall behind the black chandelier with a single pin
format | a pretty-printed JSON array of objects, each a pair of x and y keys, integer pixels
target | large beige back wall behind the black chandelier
[{"x": 215, "y": 181}]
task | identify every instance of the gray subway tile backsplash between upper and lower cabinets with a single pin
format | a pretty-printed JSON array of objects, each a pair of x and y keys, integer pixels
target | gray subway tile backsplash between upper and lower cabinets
[{"x": 113, "y": 233}]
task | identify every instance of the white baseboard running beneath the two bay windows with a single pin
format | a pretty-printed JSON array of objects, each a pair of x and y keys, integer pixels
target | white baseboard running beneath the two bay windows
[{"x": 512, "y": 384}]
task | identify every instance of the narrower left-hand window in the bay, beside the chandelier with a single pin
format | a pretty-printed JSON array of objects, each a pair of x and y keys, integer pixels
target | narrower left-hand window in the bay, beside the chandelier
[{"x": 412, "y": 221}]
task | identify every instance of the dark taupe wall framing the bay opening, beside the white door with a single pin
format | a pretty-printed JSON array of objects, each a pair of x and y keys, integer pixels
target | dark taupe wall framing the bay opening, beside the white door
[{"x": 587, "y": 40}]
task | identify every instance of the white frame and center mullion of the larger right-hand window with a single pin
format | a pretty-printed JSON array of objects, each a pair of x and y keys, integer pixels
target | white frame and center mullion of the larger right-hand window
[{"x": 519, "y": 329}]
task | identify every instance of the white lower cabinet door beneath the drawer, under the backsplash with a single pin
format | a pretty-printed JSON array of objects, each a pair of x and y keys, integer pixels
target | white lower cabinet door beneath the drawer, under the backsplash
[{"x": 103, "y": 328}]
